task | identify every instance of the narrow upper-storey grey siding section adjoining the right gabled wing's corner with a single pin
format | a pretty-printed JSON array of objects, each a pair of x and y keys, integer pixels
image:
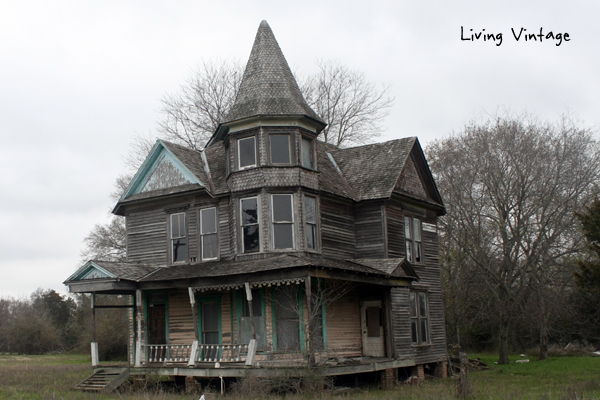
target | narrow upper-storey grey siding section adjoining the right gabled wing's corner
[{"x": 369, "y": 230}]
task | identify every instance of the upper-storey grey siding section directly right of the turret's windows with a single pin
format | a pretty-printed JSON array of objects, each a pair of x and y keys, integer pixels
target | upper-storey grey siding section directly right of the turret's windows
[{"x": 337, "y": 228}]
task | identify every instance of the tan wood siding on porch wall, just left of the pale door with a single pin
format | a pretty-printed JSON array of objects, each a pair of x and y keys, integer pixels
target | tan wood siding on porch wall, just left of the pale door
[{"x": 344, "y": 336}]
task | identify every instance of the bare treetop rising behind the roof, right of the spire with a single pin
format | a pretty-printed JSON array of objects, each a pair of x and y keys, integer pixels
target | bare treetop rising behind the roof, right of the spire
[{"x": 351, "y": 105}]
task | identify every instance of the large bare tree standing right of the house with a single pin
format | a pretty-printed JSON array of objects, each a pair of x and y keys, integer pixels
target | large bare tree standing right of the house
[{"x": 511, "y": 186}]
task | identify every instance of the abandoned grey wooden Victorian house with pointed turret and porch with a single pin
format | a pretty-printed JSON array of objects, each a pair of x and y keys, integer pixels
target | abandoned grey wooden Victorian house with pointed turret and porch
[{"x": 271, "y": 249}]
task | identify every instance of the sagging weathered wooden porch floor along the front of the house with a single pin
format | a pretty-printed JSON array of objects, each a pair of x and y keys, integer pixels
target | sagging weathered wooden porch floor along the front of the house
[{"x": 266, "y": 369}]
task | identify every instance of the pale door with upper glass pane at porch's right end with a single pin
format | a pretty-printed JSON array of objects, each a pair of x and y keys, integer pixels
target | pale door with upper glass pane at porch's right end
[{"x": 372, "y": 328}]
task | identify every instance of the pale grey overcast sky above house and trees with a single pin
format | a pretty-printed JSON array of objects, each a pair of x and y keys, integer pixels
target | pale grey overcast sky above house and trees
[{"x": 78, "y": 80}]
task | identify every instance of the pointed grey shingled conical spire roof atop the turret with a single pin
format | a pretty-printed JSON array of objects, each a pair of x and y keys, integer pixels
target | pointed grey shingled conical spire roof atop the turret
[{"x": 268, "y": 86}]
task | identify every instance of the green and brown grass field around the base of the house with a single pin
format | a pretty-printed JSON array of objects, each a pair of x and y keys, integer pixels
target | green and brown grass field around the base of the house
[{"x": 568, "y": 378}]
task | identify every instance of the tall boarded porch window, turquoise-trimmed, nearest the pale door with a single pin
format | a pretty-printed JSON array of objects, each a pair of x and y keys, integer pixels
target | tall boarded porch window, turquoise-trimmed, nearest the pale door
[{"x": 286, "y": 317}]
